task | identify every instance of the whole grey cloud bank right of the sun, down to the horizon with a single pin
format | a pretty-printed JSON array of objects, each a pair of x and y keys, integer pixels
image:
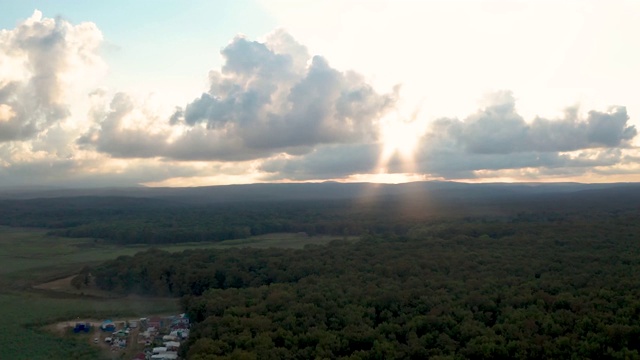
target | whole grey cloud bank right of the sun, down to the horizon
[{"x": 496, "y": 137}]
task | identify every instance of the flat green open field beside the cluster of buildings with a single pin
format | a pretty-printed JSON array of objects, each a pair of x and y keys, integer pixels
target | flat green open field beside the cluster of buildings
[{"x": 29, "y": 257}]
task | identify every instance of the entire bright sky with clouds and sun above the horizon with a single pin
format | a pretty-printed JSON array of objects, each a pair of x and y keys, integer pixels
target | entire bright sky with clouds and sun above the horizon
[{"x": 194, "y": 93}]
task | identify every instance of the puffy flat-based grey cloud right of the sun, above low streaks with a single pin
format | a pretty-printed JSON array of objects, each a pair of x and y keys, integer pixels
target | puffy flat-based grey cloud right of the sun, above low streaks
[{"x": 499, "y": 129}]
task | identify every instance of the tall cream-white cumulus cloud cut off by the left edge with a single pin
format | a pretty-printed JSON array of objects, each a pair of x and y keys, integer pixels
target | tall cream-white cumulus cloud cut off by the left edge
[{"x": 39, "y": 60}]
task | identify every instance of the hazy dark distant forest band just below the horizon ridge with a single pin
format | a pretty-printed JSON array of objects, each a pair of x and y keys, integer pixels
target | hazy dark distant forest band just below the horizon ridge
[{"x": 128, "y": 220}]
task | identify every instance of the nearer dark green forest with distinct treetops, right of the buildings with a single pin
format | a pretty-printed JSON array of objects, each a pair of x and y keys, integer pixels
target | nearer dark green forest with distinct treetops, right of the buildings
[{"x": 562, "y": 287}]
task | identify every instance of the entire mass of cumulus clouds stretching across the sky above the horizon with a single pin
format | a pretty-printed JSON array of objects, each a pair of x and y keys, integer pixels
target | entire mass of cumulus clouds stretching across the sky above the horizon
[{"x": 272, "y": 110}]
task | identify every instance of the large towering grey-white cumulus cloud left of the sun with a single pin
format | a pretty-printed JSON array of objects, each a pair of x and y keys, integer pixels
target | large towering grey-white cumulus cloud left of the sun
[{"x": 268, "y": 98}]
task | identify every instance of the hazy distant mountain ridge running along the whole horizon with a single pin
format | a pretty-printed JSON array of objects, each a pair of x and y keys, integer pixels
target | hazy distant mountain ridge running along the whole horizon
[{"x": 321, "y": 191}]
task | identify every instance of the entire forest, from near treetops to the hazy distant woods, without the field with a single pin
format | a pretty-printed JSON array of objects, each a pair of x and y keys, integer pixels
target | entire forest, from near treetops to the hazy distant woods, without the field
[{"x": 461, "y": 272}]
